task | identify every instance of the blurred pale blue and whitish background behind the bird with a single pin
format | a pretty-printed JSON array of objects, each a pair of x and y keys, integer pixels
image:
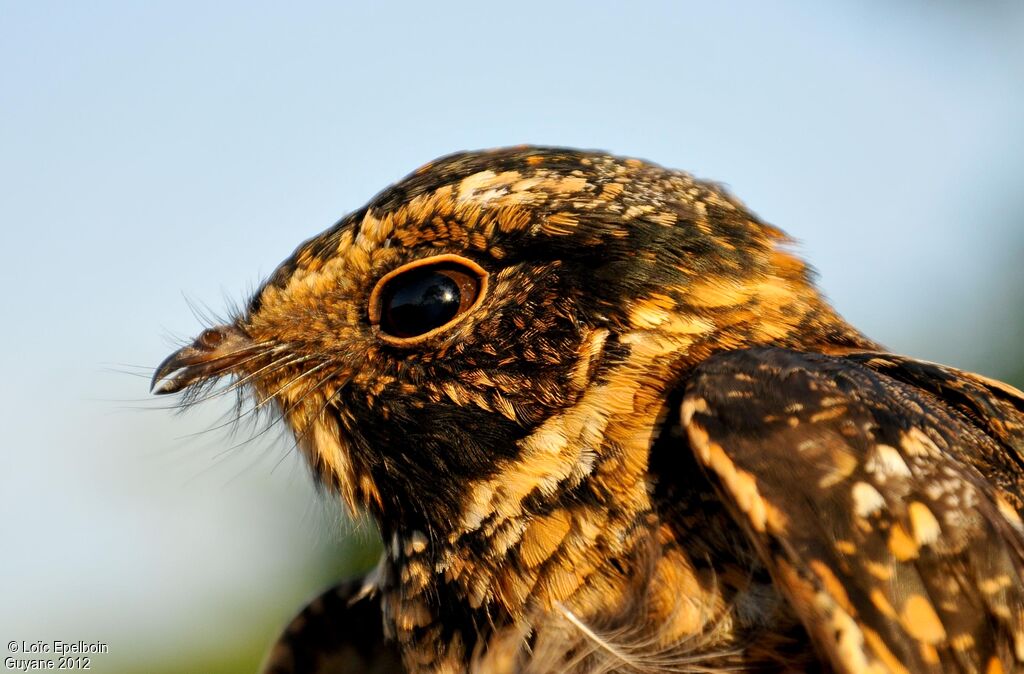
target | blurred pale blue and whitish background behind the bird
[{"x": 154, "y": 150}]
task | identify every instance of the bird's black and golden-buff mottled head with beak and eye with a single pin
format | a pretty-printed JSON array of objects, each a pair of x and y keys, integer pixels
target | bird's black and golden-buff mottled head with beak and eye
[{"x": 493, "y": 330}]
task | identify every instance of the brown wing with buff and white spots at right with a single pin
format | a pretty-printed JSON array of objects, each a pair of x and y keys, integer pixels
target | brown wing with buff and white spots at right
[{"x": 882, "y": 493}]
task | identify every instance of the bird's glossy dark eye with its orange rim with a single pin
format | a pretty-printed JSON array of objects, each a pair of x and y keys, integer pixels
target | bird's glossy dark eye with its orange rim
[{"x": 462, "y": 279}]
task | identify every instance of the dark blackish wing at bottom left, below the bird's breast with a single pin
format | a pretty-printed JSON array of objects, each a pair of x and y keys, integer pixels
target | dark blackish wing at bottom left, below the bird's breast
[{"x": 339, "y": 633}]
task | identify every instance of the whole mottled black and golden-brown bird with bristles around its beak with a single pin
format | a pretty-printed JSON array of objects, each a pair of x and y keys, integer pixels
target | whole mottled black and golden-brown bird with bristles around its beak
[{"x": 606, "y": 422}]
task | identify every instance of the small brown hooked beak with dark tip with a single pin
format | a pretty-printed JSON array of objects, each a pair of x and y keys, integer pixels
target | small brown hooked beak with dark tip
[{"x": 216, "y": 353}]
